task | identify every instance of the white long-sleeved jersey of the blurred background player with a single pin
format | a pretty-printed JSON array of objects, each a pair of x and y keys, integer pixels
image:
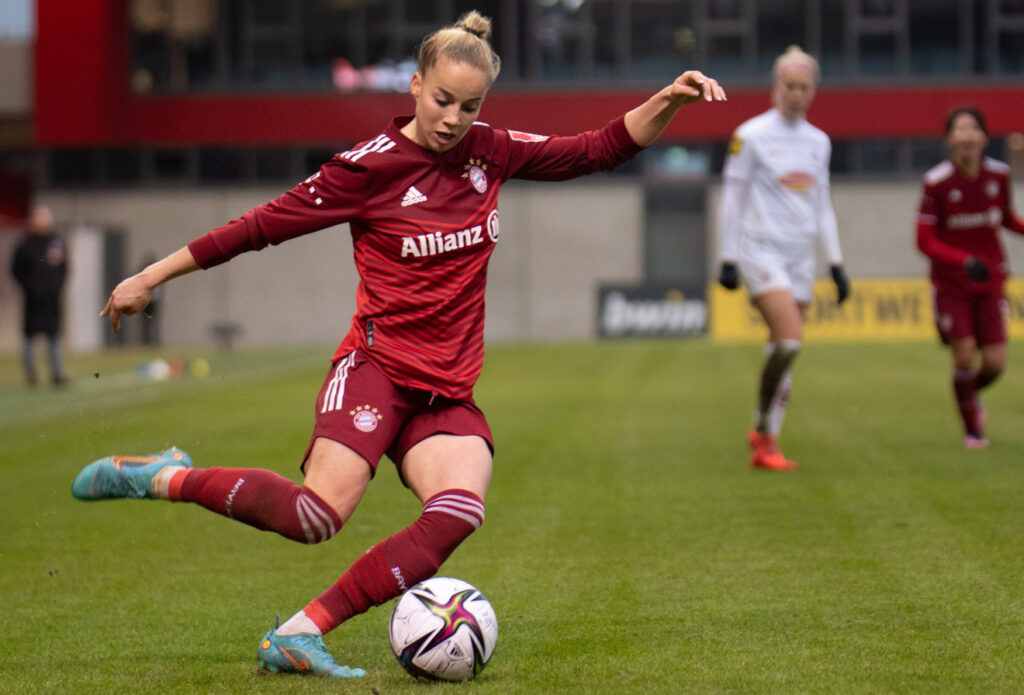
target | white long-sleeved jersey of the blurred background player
[{"x": 776, "y": 188}]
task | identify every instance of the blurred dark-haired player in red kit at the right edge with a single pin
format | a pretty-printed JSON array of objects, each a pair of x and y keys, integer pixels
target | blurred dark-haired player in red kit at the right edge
[{"x": 966, "y": 202}]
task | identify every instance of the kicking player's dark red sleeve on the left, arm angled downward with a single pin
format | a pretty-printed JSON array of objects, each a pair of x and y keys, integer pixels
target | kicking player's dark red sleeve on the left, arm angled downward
[{"x": 332, "y": 196}]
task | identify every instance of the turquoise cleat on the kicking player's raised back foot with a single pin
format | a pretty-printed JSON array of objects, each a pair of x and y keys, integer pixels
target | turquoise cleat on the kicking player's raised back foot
[{"x": 125, "y": 476}]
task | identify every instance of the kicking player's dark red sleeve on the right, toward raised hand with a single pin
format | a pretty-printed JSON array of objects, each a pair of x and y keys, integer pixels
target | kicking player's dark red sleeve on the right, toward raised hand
[{"x": 560, "y": 158}]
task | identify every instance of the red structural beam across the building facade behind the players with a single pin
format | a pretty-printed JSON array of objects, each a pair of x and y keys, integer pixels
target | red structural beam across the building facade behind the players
[{"x": 82, "y": 99}]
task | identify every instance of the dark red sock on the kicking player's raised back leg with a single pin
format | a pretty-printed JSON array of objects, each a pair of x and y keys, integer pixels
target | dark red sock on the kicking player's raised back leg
[{"x": 261, "y": 499}]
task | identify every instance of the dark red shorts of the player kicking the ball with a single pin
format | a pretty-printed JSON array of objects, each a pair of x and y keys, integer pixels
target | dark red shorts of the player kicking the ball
[{"x": 362, "y": 409}]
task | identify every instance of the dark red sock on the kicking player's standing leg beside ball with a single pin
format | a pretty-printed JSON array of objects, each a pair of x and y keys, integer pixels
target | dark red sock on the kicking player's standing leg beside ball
[{"x": 396, "y": 564}]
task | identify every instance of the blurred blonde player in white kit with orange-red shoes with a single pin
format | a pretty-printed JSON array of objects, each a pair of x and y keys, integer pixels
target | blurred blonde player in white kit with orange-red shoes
[{"x": 776, "y": 203}]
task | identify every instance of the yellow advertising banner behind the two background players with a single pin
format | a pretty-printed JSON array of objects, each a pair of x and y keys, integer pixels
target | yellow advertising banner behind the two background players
[{"x": 877, "y": 311}]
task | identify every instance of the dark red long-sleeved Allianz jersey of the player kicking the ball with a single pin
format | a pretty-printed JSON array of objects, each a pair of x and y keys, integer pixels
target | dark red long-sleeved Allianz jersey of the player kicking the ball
[{"x": 424, "y": 226}]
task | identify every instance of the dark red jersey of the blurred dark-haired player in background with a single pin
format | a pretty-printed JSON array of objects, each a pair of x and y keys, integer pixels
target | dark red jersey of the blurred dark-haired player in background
[{"x": 961, "y": 218}]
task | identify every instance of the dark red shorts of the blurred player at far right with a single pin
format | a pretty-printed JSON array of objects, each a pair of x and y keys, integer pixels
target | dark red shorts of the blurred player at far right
[{"x": 962, "y": 315}]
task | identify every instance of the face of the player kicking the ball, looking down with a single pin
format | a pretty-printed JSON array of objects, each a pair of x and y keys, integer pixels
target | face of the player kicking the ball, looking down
[{"x": 449, "y": 98}]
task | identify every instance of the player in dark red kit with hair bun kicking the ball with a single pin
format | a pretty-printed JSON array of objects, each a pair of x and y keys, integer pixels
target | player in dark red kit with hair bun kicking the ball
[{"x": 421, "y": 202}]
